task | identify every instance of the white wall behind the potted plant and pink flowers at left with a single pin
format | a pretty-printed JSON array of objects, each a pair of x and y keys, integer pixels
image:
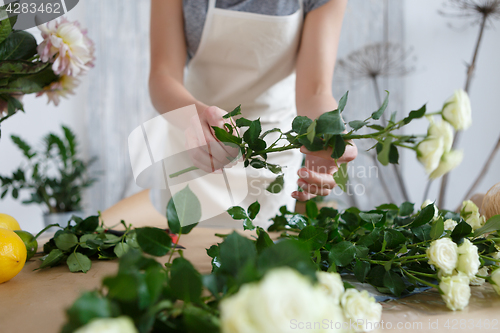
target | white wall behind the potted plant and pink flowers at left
[{"x": 39, "y": 120}]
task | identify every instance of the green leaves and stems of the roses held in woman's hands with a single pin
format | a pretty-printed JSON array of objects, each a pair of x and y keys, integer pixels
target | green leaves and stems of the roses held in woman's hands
[{"x": 328, "y": 131}]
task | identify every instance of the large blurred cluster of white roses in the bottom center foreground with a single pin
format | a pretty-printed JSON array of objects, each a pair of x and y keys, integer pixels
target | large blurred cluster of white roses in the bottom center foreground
[{"x": 286, "y": 301}]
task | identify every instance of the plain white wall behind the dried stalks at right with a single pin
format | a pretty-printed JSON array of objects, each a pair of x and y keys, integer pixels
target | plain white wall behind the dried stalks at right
[{"x": 441, "y": 52}]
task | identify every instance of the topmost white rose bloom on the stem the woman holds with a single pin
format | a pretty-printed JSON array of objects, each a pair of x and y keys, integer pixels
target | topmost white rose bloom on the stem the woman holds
[{"x": 457, "y": 110}]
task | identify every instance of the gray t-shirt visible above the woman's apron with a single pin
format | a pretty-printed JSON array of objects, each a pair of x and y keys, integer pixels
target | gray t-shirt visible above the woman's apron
[{"x": 195, "y": 12}]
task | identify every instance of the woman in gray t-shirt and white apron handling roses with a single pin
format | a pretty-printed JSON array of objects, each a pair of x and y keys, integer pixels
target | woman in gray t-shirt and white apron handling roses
[{"x": 247, "y": 52}]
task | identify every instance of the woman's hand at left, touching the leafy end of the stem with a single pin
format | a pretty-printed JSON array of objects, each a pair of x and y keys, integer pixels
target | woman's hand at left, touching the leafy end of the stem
[{"x": 206, "y": 151}]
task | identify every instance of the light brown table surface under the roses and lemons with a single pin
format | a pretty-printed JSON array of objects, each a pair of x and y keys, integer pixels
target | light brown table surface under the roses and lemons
[{"x": 35, "y": 301}]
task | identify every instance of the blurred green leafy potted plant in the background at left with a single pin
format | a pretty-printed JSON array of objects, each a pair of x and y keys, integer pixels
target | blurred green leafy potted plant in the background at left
[{"x": 54, "y": 176}]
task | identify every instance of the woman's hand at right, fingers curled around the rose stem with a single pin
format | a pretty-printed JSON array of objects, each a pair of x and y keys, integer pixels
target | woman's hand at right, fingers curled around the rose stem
[{"x": 316, "y": 178}]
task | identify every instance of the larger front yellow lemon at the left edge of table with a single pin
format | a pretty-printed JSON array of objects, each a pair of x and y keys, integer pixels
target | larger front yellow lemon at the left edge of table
[{"x": 12, "y": 254}]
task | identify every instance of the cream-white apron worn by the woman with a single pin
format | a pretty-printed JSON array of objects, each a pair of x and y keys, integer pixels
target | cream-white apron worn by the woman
[{"x": 248, "y": 59}]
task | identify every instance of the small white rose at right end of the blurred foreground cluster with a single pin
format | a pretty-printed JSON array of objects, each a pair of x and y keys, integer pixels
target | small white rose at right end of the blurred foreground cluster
[{"x": 361, "y": 307}]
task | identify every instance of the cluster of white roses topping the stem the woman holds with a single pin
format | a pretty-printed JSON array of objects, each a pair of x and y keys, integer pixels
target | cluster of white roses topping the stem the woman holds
[{"x": 435, "y": 151}]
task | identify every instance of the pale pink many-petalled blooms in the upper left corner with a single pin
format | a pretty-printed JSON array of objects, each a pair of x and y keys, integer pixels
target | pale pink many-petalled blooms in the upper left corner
[{"x": 71, "y": 53}]
